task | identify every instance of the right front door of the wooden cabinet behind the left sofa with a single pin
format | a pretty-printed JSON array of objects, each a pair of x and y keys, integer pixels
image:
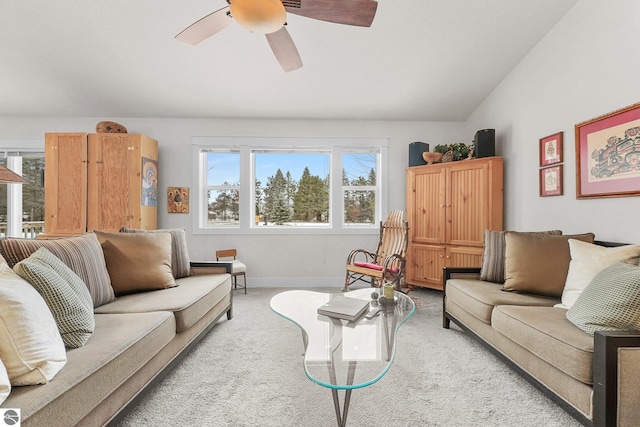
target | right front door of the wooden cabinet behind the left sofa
[{"x": 109, "y": 204}]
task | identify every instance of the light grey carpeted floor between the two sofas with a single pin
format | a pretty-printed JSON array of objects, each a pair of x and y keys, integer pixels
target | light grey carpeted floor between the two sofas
[{"x": 248, "y": 372}]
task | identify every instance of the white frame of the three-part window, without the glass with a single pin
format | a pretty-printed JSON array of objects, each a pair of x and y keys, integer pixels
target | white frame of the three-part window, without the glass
[{"x": 245, "y": 145}]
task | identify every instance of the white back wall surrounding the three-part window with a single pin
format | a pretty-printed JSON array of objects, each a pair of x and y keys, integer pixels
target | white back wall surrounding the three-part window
[{"x": 292, "y": 260}]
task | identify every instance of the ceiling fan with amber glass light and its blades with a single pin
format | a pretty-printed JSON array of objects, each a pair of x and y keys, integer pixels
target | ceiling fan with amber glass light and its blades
[{"x": 269, "y": 17}]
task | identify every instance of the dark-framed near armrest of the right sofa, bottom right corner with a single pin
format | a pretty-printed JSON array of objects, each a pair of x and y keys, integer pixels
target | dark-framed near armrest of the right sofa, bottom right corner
[{"x": 616, "y": 378}]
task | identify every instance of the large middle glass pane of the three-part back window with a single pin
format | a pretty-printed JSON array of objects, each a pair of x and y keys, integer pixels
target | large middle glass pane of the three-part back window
[{"x": 292, "y": 188}]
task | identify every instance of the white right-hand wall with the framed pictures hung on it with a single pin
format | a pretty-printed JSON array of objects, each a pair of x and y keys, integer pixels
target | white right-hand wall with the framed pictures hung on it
[{"x": 587, "y": 66}]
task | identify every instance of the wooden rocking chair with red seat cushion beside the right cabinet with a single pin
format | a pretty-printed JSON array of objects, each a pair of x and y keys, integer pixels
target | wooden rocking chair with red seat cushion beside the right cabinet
[{"x": 388, "y": 262}]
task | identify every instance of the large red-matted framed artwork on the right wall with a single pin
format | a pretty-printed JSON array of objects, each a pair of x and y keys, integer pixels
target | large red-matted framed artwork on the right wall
[{"x": 608, "y": 155}]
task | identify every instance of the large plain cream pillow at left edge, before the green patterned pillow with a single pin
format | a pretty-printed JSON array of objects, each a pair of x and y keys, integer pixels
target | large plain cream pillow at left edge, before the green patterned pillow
[{"x": 30, "y": 345}]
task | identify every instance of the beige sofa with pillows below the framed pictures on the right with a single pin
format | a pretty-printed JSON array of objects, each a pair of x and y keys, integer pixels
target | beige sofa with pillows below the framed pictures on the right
[{"x": 564, "y": 313}]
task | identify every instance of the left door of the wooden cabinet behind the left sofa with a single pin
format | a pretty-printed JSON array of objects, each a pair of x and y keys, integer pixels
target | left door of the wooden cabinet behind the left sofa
[{"x": 65, "y": 181}]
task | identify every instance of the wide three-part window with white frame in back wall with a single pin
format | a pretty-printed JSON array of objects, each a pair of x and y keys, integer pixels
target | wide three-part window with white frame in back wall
[{"x": 258, "y": 185}]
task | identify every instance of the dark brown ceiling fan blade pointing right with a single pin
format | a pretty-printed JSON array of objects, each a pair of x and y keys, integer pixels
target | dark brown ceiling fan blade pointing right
[{"x": 348, "y": 12}]
